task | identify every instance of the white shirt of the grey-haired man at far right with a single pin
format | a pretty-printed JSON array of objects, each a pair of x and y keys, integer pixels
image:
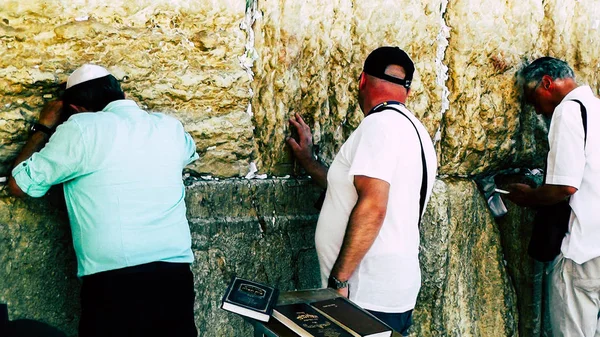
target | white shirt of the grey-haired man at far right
[{"x": 569, "y": 164}]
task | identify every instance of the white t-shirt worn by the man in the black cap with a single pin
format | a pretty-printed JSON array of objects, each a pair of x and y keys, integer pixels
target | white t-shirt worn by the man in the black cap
[{"x": 384, "y": 146}]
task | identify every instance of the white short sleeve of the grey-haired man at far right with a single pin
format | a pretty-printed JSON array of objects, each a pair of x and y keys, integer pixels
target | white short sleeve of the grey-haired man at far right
[{"x": 566, "y": 159}]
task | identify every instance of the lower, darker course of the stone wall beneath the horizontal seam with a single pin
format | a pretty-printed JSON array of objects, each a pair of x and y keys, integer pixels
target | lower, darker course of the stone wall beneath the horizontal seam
[{"x": 264, "y": 230}]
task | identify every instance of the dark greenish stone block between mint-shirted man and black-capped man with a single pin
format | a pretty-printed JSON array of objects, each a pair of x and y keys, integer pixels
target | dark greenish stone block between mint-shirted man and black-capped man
[{"x": 261, "y": 230}]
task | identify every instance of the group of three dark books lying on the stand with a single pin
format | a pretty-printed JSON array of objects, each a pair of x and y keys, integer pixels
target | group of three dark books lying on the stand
[{"x": 335, "y": 317}]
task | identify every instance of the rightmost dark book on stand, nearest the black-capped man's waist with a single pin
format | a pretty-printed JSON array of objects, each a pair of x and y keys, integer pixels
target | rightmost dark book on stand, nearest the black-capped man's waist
[{"x": 356, "y": 321}]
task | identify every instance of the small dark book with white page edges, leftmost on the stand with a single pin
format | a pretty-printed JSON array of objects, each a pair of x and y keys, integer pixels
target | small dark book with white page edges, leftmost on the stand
[{"x": 250, "y": 299}]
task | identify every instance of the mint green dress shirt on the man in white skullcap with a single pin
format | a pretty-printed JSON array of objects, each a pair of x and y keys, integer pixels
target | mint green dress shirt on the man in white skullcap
[{"x": 121, "y": 168}]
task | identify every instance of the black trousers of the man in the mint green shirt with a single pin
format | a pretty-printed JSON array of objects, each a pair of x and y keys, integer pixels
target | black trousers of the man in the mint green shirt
[{"x": 155, "y": 299}]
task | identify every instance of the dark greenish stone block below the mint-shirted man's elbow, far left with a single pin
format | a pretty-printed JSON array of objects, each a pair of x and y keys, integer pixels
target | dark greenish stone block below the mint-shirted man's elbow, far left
[{"x": 37, "y": 263}]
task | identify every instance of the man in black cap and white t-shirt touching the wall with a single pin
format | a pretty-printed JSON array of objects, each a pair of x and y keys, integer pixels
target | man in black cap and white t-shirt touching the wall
[{"x": 367, "y": 236}]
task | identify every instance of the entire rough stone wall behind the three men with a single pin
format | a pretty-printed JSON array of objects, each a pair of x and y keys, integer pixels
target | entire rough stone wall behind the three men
[{"x": 234, "y": 71}]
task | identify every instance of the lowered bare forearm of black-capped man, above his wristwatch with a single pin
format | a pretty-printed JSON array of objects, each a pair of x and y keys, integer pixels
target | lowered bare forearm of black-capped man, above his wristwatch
[{"x": 363, "y": 228}]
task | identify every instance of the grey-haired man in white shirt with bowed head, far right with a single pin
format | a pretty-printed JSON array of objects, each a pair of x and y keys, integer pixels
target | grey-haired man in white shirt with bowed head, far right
[{"x": 573, "y": 170}]
